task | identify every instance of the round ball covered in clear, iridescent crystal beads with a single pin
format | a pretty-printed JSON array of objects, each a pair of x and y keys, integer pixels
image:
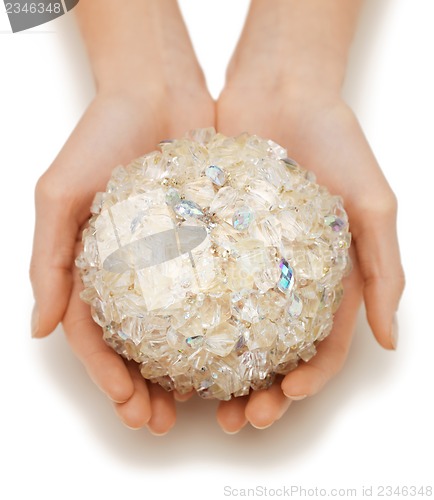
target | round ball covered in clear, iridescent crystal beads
[{"x": 215, "y": 262}]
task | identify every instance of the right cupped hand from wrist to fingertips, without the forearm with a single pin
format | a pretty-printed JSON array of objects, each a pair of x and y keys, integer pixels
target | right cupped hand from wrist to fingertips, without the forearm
[{"x": 321, "y": 132}]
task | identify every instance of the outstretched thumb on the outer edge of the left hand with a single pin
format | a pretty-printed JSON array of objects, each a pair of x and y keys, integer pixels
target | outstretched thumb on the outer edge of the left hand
[{"x": 53, "y": 254}]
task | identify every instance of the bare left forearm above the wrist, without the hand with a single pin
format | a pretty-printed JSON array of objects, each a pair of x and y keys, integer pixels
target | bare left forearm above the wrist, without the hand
[{"x": 135, "y": 42}]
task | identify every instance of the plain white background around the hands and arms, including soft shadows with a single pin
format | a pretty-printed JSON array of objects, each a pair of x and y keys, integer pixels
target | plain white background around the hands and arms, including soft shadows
[{"x": 373, "y": 425}]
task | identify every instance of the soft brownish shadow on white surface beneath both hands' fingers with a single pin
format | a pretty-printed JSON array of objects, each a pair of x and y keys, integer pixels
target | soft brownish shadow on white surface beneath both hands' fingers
[{"x": 295, "y": 435}]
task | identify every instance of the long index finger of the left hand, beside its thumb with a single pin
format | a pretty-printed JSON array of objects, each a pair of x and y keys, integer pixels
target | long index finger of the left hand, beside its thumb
[{"x": 106, "y": 368}]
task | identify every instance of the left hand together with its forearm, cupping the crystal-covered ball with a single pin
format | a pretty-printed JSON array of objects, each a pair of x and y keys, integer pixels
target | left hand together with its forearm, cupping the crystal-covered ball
[{"x": 130, "y": 114}]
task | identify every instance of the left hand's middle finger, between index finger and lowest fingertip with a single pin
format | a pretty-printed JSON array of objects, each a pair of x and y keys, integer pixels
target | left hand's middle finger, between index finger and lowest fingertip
[{"x": 136, "y": 412}]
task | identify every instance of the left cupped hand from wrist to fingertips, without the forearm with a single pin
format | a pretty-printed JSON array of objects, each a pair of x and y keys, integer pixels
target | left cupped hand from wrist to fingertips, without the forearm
[{"x": 115, "y": 129}]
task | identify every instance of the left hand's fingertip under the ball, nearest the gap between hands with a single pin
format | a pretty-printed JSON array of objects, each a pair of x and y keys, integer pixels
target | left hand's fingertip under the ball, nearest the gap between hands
[{"x": 163, "y": 410}]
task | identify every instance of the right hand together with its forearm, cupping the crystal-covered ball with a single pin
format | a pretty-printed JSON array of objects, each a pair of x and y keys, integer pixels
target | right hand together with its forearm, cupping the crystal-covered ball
[{"x": 299, "y": 106}]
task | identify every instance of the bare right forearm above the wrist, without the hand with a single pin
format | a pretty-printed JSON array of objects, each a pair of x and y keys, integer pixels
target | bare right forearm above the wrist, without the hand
[{"x": 303, "y": 41}]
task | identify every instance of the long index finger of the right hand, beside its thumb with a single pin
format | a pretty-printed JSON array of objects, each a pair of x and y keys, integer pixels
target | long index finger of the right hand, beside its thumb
[{"x": 309, "y": 378}]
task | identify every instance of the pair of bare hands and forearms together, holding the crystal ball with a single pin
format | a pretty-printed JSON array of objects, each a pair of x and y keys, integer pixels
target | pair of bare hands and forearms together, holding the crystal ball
[{"x": 284, "y": 82}]
